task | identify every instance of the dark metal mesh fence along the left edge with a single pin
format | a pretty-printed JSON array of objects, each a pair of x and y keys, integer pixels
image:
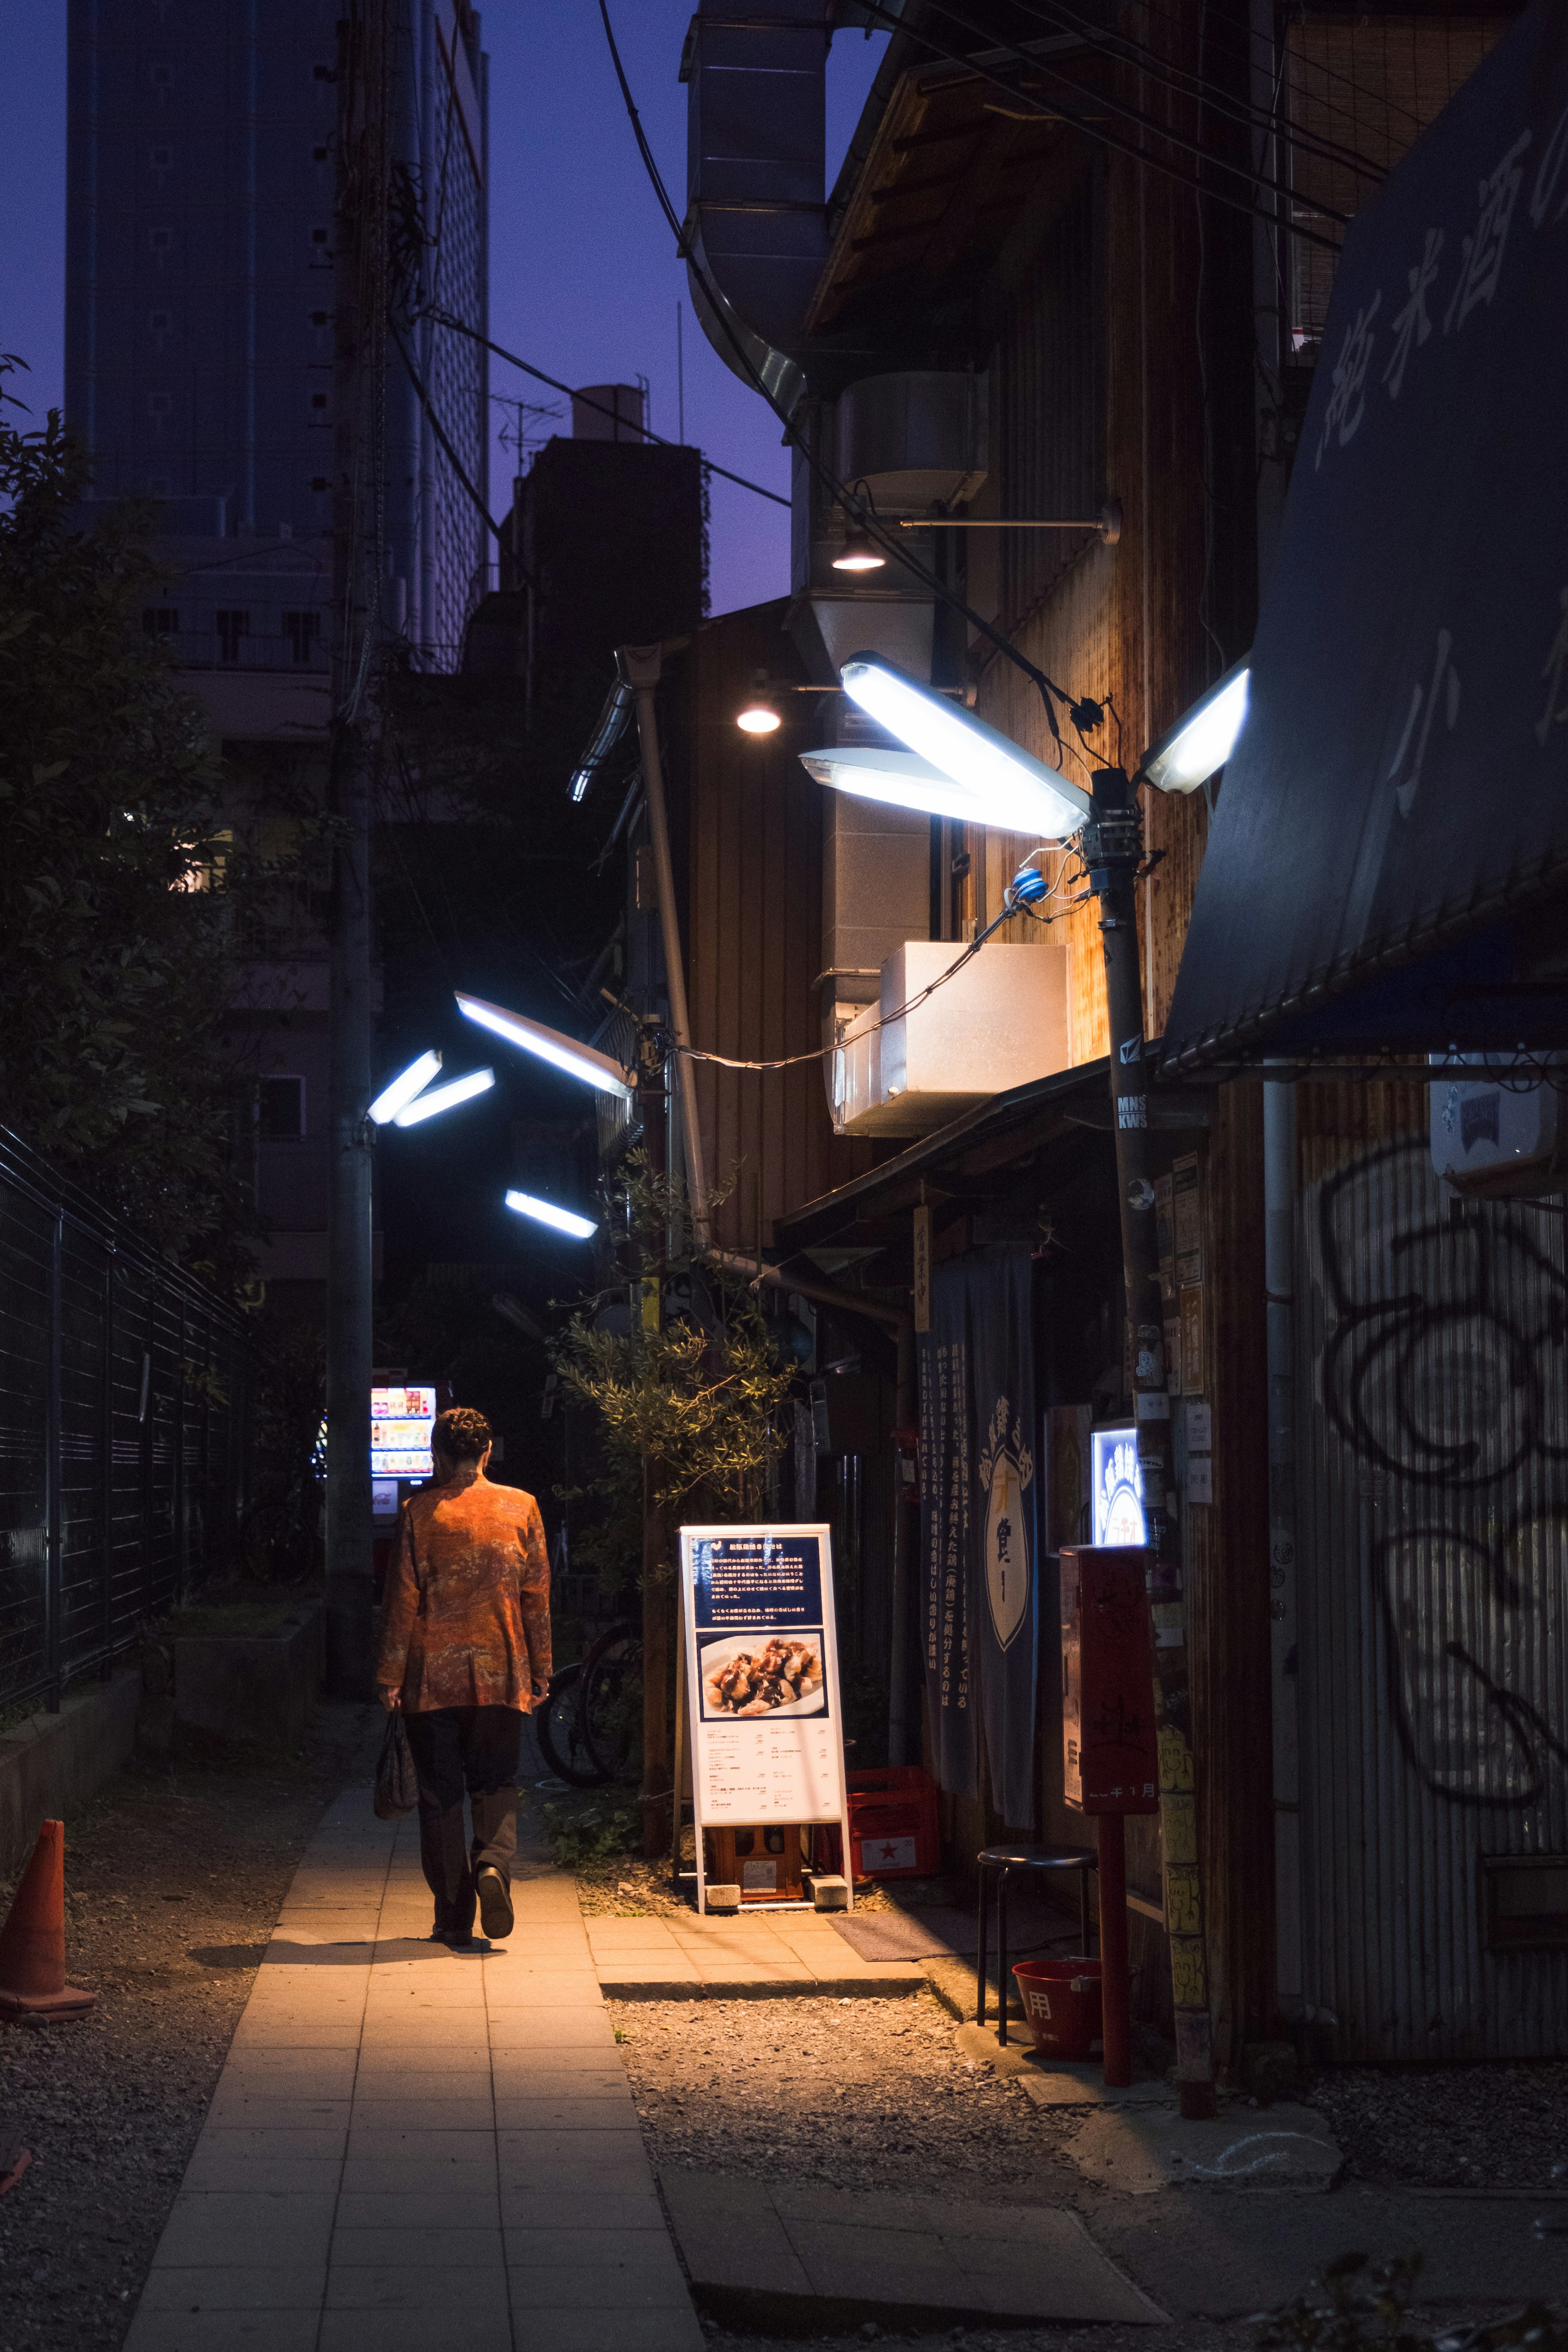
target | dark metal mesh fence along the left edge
[{"x": 123, "y": 1408}]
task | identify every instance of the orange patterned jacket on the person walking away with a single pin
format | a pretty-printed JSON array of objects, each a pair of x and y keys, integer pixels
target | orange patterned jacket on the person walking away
[{"x": 467, "y": 1610}]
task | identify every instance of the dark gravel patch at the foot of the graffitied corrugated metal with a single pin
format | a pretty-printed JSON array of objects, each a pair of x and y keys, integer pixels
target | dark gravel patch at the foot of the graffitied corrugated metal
[{"x": 1452, "y": 2127}]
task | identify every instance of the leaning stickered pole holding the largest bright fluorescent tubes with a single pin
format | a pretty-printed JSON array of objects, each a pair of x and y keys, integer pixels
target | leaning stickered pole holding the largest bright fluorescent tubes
[{"x": 1113, "y": 853}]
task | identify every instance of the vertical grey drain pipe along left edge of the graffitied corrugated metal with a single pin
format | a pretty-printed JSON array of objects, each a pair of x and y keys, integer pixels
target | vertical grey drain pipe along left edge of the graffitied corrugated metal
[{"x": 1280, "y": 1182}]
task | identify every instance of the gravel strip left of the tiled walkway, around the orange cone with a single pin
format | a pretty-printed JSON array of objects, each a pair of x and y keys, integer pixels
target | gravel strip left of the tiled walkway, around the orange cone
[{"x": 173, "y": 1887}]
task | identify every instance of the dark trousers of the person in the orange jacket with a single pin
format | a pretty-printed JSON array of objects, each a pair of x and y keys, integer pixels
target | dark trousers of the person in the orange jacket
[{"x": 464, "y": 1751}]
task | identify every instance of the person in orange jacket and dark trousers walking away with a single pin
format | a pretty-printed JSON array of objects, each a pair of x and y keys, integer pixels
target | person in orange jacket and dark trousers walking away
[{"x": 467, "y": 1652}]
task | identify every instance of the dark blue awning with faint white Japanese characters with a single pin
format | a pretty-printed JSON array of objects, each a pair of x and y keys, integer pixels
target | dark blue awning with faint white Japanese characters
[{"x": 1395, "y": 815}]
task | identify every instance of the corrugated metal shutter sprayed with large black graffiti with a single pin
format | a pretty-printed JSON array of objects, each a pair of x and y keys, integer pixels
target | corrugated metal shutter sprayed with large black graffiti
[{"x": 1433, "y": 1553}]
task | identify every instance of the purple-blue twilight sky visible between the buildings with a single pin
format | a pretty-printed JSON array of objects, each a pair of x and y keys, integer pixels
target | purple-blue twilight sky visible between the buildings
[{"x": 584, "y": 276}]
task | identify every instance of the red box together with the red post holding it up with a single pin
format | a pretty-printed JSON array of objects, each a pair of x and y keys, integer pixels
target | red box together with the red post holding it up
[{"x": 1108, "y": 1744}]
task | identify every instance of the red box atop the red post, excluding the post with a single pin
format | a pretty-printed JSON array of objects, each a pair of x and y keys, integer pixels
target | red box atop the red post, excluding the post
[{"x": 1108, "y": 1699}]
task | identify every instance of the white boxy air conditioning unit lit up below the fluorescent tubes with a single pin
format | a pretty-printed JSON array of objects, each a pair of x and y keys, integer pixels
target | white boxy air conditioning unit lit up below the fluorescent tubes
[{"x": 1000, "y": 1022}]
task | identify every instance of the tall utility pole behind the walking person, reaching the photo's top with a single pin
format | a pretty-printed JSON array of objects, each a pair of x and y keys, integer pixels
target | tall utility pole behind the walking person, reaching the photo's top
[{"x": 361, "y": 288}]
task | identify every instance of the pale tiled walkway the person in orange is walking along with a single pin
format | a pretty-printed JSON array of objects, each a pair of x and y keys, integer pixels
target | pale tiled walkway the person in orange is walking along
[{"x": 417, "y": 2151}]
